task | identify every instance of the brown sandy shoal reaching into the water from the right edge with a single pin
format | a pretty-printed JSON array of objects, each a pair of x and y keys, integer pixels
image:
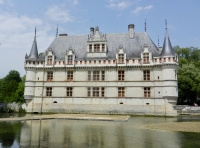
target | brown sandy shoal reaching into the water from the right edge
[{"x": 176, "y": 127}]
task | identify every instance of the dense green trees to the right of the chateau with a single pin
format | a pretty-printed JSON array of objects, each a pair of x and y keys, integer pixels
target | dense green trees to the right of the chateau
[{"x": 188, "y": 74}]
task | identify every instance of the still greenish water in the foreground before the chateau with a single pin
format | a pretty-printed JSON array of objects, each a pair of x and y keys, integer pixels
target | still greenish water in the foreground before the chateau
[{"x": 57, "y": 133}]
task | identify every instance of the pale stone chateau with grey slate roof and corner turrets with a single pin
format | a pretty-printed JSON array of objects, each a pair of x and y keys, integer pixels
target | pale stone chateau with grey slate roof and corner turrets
[{"x": 123, "y": 73}]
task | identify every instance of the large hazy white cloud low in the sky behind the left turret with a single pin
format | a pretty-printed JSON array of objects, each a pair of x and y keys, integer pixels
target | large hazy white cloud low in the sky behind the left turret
[{"x": 16, "y": 37}]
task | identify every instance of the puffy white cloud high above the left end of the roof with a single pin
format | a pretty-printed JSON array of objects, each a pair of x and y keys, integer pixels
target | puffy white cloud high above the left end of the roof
[{"x": 57, "y": 13}]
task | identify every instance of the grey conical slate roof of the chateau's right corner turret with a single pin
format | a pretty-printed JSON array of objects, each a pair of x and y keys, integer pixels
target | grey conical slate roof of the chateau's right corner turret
[{"x": 167, "y": 47}]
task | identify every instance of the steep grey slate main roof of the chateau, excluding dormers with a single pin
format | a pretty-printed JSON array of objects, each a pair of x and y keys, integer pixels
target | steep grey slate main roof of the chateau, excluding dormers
[{"x": 132, "y": 47}]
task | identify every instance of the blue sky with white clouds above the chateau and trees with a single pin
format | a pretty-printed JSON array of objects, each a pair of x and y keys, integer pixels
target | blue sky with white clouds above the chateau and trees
[{"x": 18, "y": 19}]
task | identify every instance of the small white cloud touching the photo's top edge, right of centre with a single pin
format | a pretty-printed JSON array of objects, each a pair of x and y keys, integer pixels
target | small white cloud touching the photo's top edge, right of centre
[{"x": 118, "y": 4}]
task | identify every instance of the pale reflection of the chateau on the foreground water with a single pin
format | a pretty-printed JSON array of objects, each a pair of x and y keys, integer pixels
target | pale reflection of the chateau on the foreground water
[{"x": 82, "y": 134}]
